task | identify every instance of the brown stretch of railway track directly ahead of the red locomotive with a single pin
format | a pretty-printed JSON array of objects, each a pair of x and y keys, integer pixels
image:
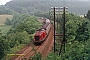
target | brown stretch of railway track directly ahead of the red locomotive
[{"x": 25, "y": 53}]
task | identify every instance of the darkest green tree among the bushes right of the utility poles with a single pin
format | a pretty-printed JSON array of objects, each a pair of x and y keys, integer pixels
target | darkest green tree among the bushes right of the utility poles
[{"x": 82, "y": 32}]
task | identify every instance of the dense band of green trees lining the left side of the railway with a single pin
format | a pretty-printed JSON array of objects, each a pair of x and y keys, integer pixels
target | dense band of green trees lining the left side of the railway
[{"x": 22, "y": 31}]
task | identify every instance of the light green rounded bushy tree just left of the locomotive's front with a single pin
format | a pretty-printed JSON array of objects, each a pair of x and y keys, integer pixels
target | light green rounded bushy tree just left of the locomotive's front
[{"x": 20, "y": 37}]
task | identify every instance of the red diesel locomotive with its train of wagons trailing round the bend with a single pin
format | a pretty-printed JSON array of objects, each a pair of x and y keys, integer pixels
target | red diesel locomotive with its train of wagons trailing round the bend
[{"x": 42, "y": 33}]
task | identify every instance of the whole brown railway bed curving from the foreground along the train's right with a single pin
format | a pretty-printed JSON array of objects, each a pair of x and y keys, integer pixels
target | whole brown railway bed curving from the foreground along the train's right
[{"x": 44, "y": 48}]
